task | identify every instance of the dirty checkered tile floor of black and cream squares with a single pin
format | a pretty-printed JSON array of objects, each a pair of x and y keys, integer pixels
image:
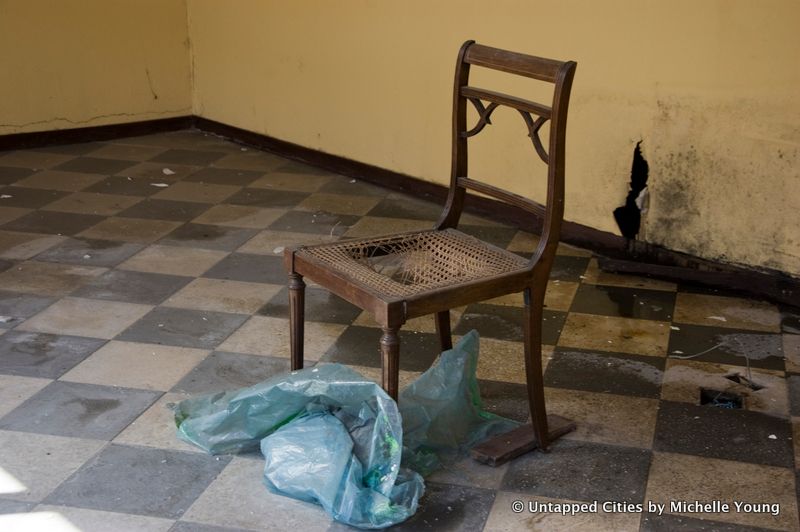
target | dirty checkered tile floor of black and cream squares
[{"x": 138, "y": 272}]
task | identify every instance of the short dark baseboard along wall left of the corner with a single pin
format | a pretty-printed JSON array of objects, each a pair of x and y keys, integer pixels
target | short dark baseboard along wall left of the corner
[{"x": 36, "y": 139}]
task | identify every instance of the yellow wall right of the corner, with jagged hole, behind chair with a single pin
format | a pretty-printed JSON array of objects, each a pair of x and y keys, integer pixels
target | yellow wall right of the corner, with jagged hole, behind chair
[{"x": 709, "y": 86}]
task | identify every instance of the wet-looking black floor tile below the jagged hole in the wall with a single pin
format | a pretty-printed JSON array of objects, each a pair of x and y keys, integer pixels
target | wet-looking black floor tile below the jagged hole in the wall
[{"x": 624, "y": 302}]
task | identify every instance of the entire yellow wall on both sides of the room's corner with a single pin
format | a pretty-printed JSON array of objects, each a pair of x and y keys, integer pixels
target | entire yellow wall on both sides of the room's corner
[{"x": 710, "y": 87}]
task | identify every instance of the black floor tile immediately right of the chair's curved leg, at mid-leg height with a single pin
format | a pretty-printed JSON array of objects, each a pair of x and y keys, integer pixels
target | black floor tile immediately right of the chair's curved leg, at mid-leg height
[{"x": 616, "y": 373}]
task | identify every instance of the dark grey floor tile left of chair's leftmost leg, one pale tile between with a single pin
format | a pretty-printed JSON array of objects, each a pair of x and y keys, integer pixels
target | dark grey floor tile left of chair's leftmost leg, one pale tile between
[{"x": 183, "y": 327}]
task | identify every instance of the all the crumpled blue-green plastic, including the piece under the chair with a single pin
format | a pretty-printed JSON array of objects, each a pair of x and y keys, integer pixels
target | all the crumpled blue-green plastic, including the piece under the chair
[{"x": 332, "y": 437}]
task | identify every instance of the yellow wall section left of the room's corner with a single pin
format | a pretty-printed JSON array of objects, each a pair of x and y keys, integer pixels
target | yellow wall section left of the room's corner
[{"x": 92, "y": 62}]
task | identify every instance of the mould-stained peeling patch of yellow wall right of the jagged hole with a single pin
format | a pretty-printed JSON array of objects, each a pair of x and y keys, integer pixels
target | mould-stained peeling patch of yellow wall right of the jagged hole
[{"x": 719, "y": 193}]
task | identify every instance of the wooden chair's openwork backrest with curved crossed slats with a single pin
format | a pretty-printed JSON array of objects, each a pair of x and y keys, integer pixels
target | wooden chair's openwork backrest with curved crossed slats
[{"x": 560, "y": 74}]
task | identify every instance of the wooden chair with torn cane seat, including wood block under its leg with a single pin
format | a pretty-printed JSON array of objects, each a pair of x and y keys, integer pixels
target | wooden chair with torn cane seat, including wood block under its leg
[{"x": 403, "y": 276}]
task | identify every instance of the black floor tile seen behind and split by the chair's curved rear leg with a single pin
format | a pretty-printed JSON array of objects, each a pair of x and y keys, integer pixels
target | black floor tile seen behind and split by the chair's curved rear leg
[{"x": 506, "y": 323}]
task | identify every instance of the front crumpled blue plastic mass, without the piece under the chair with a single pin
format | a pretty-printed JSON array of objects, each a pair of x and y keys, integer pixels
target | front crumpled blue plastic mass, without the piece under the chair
[{"x": 329, "y": 436}]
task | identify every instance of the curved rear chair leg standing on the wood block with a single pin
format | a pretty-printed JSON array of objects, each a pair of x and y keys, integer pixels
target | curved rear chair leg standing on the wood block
[{"x": 534, "y": 303}]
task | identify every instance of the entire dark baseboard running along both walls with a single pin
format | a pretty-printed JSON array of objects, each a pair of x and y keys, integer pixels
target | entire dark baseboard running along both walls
[{"x": 618, "y": 254}]
